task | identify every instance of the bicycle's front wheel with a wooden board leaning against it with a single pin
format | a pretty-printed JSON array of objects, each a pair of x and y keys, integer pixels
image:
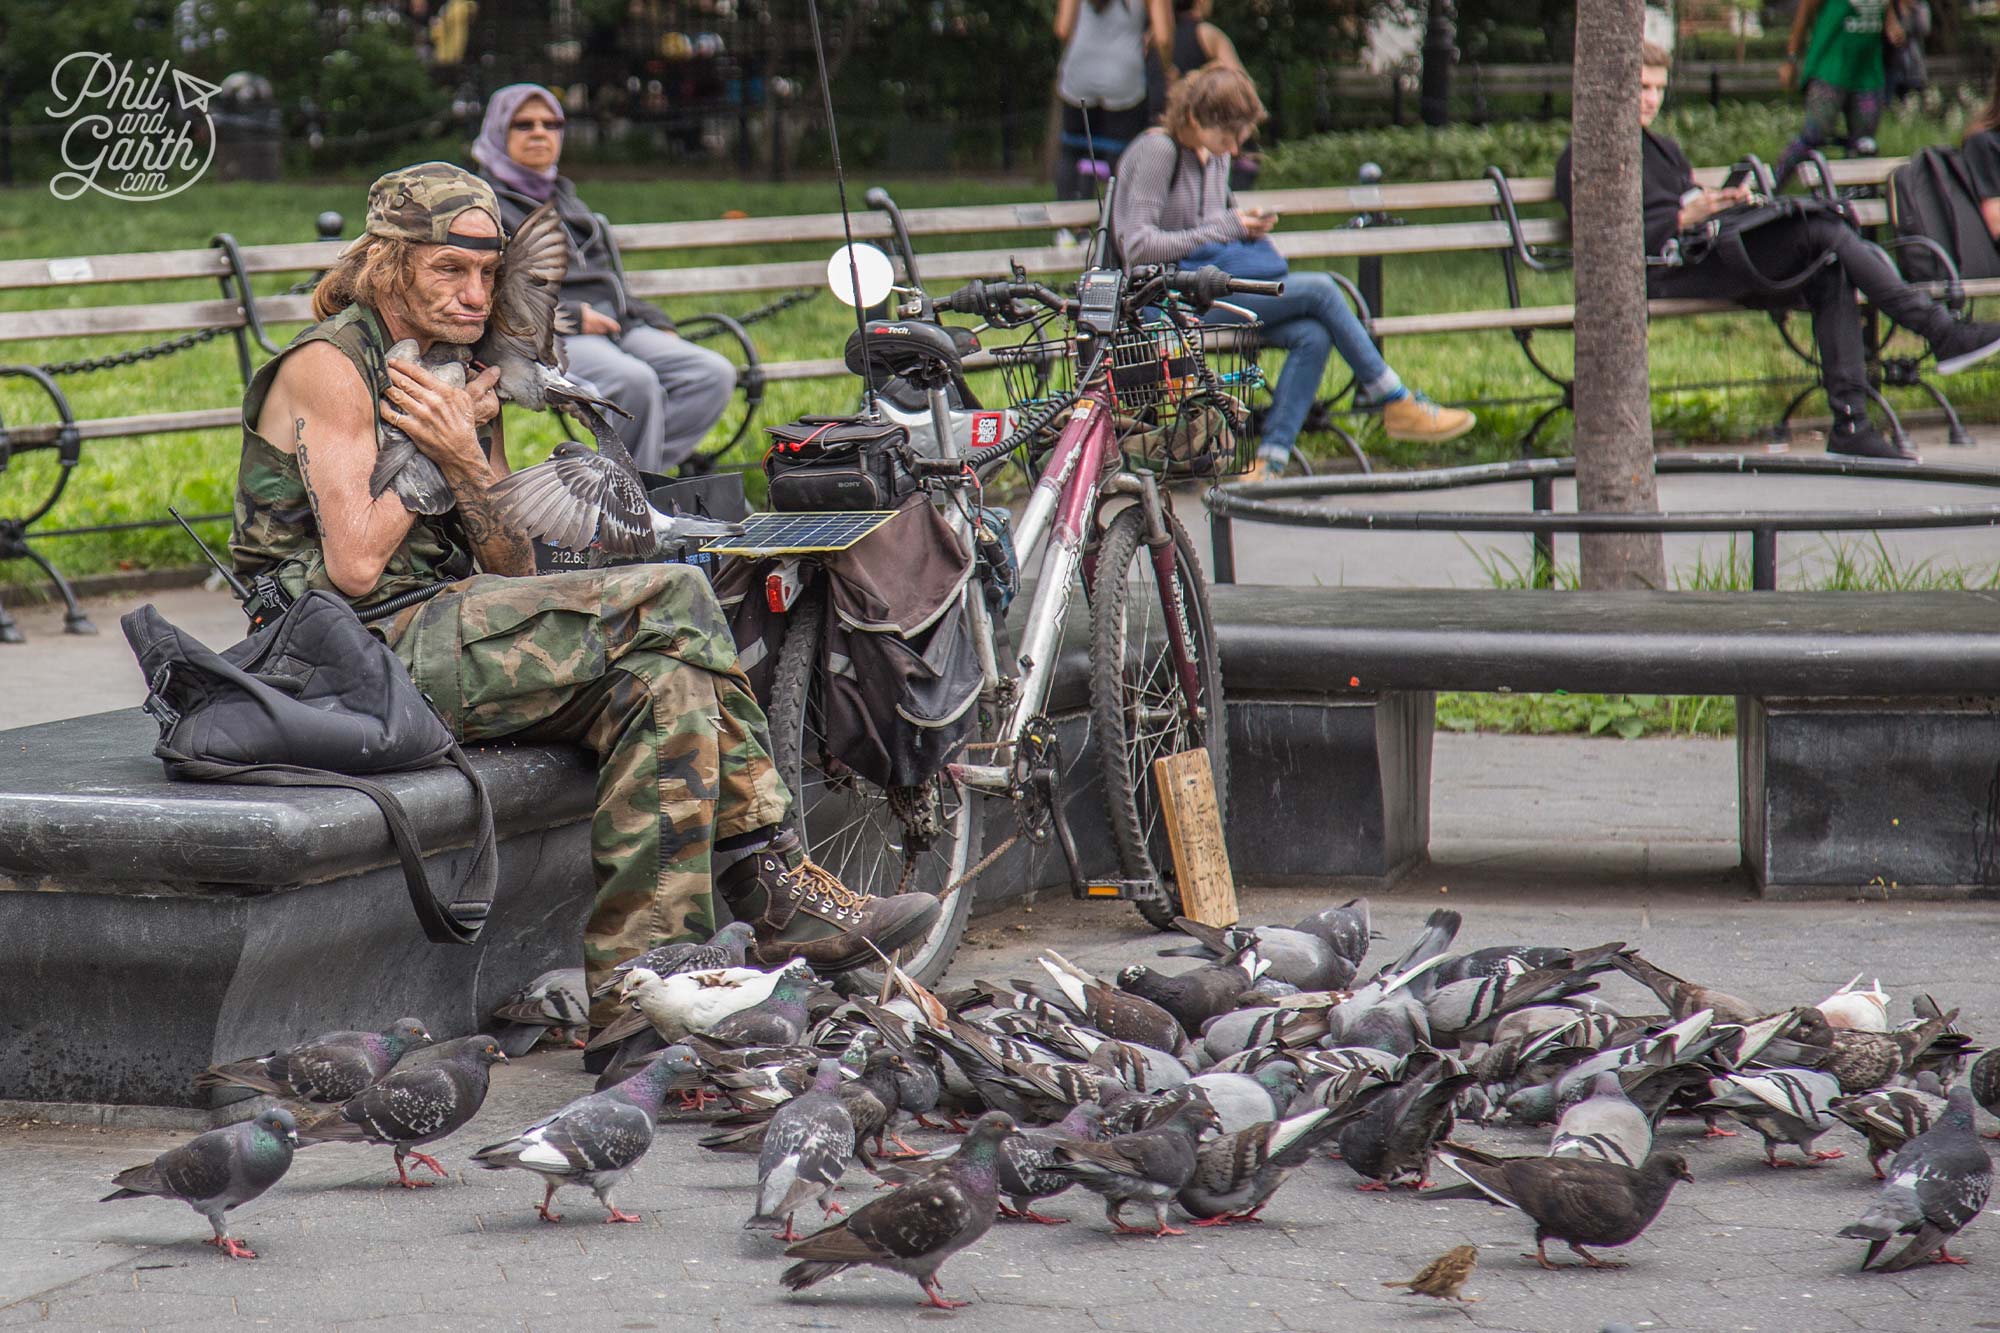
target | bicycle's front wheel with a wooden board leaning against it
[{"x": 1139, "y": 706}]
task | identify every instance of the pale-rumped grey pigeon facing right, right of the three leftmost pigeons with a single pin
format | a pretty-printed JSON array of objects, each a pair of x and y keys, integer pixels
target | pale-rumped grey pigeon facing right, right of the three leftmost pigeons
[{"x": 593, "y": 1142}]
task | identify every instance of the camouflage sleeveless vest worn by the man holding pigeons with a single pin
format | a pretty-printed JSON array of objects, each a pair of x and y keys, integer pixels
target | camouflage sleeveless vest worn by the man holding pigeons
[{"x": 275, "y": 527}]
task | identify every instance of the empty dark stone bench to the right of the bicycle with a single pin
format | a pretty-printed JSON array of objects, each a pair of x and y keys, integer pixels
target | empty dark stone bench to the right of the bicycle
[{"x": 1867, "y": 724}]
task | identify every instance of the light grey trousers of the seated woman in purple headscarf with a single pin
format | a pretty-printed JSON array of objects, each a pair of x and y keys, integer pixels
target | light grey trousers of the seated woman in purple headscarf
[{"x": 675, "y": 389}]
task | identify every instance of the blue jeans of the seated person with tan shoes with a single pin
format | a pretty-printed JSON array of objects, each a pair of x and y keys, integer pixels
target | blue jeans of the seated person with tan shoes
[{"x": 1309, "y": 321}]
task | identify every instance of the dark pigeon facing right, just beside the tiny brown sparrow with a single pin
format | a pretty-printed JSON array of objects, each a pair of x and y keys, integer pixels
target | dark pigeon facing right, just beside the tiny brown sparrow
[{"x": 1573, "y": 1200}]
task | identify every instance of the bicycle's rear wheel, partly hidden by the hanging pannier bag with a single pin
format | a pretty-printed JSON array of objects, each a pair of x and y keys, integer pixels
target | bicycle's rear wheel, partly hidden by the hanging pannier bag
[{"x": 917, "y": 840}]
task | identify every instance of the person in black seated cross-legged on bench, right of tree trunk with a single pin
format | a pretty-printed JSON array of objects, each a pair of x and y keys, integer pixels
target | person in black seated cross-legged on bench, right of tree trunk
[{"x": 1679, "y": 211}]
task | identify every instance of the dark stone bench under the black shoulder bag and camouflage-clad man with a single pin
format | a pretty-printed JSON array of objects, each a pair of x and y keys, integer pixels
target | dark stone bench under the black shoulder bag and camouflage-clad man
[{"x": 153, "y": 928}]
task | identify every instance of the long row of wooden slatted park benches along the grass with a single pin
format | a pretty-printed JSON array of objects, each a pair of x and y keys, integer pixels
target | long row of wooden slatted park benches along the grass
[{"x": 1333, "y": 223}]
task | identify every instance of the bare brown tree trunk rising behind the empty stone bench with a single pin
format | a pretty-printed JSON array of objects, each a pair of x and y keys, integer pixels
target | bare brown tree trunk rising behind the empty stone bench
[{"x": 1613, "y": 407}]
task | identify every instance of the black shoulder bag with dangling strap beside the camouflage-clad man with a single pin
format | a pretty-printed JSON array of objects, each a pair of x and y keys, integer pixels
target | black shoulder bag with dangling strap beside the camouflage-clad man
[{"x": 311, "y": 702}]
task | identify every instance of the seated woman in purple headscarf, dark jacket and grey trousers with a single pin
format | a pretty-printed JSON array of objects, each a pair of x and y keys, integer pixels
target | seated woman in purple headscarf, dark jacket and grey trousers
[{"x": 625, "y": 349}]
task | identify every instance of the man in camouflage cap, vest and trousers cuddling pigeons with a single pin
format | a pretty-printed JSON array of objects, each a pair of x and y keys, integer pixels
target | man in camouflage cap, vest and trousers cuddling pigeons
[{"x": 635, "y": 663}]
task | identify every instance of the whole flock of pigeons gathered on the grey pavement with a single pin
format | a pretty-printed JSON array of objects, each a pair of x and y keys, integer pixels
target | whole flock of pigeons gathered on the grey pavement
[{"x": 1187, "y": 1098}]
